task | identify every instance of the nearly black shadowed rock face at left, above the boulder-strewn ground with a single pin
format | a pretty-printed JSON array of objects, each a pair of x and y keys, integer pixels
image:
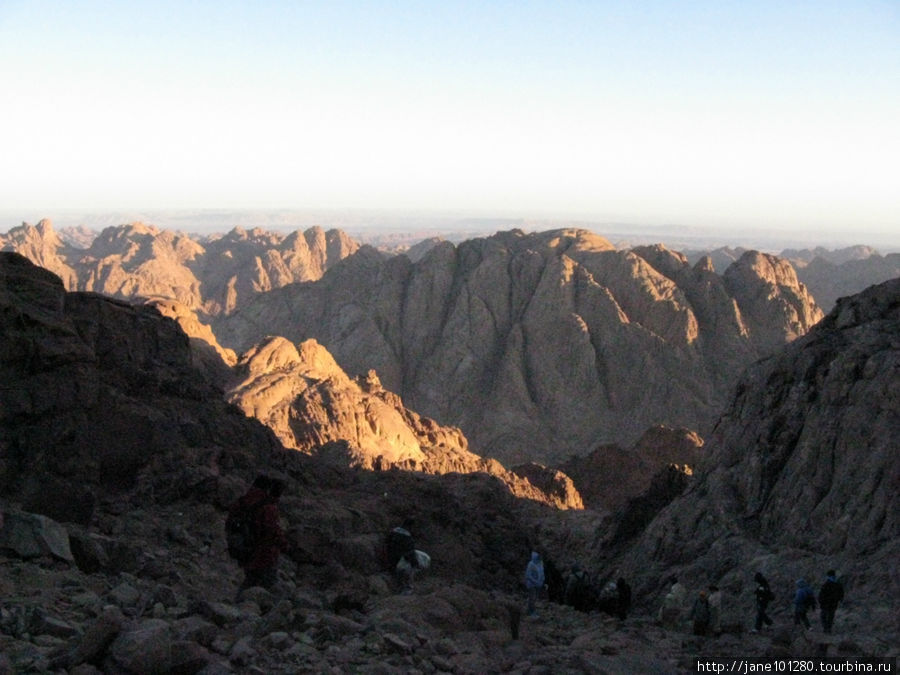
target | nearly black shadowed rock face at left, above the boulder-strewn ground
[{"x": 94, "y": 392}]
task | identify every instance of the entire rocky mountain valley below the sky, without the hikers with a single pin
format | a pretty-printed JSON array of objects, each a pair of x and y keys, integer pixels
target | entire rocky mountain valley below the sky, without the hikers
[{"x": 650, "y": 418}]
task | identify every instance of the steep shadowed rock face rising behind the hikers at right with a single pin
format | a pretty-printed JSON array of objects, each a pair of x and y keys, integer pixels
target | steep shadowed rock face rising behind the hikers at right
[{"x": 802, "y": 472}]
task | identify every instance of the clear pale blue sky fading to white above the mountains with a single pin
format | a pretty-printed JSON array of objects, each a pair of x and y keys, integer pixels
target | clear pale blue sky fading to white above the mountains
[{"x": 717, "y": 114}]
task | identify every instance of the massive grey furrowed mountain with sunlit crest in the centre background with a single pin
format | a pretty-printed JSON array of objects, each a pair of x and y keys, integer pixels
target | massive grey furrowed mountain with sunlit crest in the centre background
[{"x": 543, "y": 345}]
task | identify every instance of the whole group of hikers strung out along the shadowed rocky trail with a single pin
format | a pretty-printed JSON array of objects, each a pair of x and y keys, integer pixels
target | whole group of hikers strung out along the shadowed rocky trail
[{"x": 255, "y": 540}]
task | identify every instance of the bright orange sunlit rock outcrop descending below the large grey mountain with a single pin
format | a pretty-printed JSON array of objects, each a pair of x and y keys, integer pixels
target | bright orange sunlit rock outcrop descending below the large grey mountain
[{"x": 313, "y": 406}]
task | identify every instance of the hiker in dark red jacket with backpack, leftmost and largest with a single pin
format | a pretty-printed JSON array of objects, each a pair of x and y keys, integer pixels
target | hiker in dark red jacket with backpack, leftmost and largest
[{"x": 259, "y": 555}]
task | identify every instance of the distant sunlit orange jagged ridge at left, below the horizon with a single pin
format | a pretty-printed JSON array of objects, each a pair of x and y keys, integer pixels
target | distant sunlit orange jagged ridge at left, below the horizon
[{"x": 210, "y": 275}]
